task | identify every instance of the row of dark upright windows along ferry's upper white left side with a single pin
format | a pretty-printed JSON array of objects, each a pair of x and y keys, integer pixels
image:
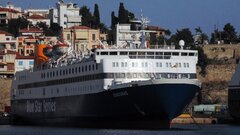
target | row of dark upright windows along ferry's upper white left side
[{"x": 69, "y": 71}]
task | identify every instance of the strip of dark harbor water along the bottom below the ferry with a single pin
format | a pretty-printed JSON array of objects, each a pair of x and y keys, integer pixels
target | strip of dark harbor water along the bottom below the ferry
[{"x": 176, "y": 130}]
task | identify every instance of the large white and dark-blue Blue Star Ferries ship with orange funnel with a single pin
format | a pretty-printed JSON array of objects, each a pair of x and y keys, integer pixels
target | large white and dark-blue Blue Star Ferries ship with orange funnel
[{"x": 129, "y": 84}]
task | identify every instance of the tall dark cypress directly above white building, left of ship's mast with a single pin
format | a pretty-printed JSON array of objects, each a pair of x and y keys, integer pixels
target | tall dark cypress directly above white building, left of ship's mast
[{"x": 122, "y": 14}]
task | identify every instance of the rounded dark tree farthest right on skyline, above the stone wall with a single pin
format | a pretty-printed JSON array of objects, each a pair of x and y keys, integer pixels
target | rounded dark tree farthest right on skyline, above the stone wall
[{"x": 229, "y": 34}]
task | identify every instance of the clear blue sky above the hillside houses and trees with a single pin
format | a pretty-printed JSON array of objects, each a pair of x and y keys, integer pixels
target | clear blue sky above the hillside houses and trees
[{"x": 168, "y": 14}]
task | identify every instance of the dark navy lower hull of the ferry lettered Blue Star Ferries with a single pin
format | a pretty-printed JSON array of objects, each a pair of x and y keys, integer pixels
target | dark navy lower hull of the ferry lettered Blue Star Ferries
[{"x": 137, "y": 106}]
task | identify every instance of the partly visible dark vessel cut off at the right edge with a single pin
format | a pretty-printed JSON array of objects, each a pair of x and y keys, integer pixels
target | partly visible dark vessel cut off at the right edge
[{"x": 234, "y": 95}]
